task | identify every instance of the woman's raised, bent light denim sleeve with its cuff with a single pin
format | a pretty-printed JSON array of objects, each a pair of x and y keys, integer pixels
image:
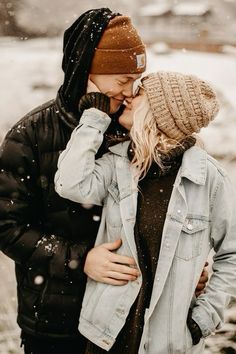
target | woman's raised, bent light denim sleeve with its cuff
[{"x": 80, "y": 177}]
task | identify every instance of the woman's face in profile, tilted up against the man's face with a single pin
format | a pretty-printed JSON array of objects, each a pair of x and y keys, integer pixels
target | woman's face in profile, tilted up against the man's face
[{"x": 127, "y": 117}]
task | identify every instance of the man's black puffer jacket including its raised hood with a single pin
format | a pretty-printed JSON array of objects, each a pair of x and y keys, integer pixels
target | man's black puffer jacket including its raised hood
[{"x": 48, "y": 237}]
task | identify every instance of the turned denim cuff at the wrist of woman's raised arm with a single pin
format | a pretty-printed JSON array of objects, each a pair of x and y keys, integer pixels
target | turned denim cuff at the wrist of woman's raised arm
[{"x": 95, "y": 118}]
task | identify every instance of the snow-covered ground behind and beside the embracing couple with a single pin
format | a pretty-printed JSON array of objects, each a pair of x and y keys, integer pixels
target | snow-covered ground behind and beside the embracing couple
[{"x": 30, "y": 74}]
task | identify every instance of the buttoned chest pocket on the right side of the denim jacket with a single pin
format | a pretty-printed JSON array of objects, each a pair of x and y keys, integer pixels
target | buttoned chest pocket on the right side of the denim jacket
[{"x": 191, "y": 238}]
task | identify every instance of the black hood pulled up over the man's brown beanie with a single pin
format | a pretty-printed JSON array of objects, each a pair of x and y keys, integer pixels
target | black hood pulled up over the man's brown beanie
[{"x": 80, "y": 41}]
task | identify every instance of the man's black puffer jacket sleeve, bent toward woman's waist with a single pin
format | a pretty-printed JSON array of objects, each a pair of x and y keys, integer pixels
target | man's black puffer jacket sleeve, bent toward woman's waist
[{"x": 22, "y": 235}]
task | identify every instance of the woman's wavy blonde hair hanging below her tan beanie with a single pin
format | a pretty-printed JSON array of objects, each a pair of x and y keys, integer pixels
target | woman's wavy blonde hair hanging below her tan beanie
[{"x": 148, "y": 141}]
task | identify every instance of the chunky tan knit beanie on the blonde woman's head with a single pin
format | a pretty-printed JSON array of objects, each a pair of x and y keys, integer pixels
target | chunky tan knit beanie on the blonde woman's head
[{"x": 182, "y": 104}]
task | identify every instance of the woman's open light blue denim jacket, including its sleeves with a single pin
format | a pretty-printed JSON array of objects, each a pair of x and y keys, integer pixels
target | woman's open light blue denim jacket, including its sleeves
[{"x": 201, "y": 215}]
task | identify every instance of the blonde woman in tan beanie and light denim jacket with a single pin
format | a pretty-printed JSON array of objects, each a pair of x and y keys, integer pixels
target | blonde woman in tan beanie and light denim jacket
[{"x": 170, "y": 202}]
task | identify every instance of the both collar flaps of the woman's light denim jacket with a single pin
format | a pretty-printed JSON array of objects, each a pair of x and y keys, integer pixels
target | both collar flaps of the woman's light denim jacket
[{"x": 193, "y": 169}]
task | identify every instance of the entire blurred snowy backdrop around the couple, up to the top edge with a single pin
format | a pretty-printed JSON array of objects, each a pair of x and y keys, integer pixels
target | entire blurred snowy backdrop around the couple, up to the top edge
[{"x": 197, "y": 37}]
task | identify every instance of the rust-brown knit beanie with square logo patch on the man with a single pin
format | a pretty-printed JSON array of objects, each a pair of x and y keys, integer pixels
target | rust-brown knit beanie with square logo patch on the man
[{"x": 120, "y": 50}]
